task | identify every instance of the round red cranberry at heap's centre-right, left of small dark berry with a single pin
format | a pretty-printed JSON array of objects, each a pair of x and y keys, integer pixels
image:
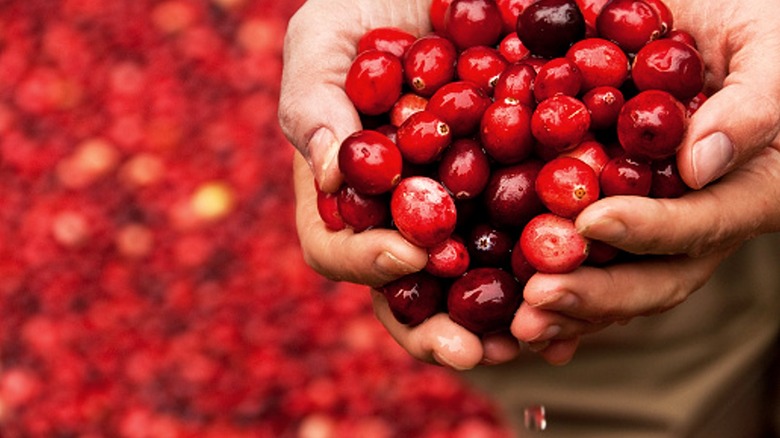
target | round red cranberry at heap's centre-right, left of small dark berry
[{"x": 560, "y": 122}]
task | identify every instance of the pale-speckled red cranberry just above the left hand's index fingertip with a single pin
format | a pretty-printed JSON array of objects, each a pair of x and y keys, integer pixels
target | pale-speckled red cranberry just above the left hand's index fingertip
[{"x": 423, "y": 211}]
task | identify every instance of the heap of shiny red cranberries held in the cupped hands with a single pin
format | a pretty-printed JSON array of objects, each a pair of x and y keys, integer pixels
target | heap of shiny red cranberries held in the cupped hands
[{"x": 485, "y": 139}]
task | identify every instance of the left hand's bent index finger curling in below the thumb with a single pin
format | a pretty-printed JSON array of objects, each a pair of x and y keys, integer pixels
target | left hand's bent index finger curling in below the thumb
[{"x": 372, "y": 257}]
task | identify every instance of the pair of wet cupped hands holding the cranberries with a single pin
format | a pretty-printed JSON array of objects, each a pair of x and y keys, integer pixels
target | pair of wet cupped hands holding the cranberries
[{"x": 730, "y": 154}]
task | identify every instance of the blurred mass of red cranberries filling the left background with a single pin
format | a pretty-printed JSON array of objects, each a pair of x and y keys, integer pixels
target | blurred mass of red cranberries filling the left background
[{"x": 151, "y": 283}]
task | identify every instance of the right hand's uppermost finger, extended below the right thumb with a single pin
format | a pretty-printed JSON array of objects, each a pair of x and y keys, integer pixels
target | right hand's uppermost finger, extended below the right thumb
[{"x": 740, "y": 206}]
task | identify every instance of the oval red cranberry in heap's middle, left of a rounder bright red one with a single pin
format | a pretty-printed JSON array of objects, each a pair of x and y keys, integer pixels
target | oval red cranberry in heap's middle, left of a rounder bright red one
[{"x": 505, "y": 131}]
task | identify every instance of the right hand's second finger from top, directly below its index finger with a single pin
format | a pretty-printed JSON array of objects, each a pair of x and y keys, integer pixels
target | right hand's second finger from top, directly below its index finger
[{"x": 622, "y": 291}]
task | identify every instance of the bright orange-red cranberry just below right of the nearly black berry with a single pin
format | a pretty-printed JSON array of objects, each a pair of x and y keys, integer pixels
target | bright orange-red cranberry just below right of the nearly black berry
[{"x": 601, "y": 63}]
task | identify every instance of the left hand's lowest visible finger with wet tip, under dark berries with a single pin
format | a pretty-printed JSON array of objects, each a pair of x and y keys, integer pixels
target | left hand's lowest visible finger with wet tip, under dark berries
[{"x": 437, "y": 340}]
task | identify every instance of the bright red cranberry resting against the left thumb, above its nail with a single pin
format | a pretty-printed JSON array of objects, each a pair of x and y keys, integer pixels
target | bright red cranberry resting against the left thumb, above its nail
[{"x": 374, "y": 81}]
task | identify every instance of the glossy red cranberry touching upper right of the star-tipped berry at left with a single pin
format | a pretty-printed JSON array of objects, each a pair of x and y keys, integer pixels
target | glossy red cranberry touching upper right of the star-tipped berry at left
[{"x": 460, "y": 104}]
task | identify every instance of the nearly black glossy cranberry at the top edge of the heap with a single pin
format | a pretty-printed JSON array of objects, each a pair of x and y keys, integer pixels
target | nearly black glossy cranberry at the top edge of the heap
[{"x": 549, "y": 27}]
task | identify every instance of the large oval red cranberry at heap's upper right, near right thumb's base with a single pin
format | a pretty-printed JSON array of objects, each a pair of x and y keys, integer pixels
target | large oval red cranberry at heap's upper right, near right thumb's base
[{"x": 670, "y": 66}]
